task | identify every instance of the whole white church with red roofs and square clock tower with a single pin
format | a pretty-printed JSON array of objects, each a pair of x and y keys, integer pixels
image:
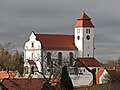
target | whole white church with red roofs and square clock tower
[{"x": 42, "y": 49}]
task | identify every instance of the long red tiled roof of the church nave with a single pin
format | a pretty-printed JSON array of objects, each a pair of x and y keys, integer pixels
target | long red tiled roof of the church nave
[{"x": 56, "y": 42}]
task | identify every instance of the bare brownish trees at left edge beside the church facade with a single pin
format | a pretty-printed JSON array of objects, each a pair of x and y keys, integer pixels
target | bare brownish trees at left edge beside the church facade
[{"x": 10, "y": 59}]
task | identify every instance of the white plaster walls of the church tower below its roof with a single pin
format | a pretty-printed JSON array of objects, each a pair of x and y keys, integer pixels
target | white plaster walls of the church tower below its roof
[{"x": 84, "y": 46}]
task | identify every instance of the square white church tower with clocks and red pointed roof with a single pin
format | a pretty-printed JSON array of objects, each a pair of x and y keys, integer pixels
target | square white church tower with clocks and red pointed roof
[{"x": 84, "y": 36}]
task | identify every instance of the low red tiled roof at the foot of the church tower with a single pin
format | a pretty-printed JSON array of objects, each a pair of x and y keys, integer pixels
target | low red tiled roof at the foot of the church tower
[{"x": 90, "y": 62}]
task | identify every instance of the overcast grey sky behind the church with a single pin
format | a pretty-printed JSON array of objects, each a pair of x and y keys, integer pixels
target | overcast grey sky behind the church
[{"x": 19, "y": 17}]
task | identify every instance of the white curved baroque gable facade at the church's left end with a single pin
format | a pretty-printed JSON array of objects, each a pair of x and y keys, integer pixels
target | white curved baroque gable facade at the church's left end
[{"x": 33, "y": 53}]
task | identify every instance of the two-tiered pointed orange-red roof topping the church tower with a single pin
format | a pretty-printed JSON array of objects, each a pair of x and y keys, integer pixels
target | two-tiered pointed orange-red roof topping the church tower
[{"x": 84, "y": 21}]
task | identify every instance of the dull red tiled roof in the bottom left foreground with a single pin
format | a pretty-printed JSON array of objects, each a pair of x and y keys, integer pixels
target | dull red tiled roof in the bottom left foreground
[{"x": 24, "y": 83}]
